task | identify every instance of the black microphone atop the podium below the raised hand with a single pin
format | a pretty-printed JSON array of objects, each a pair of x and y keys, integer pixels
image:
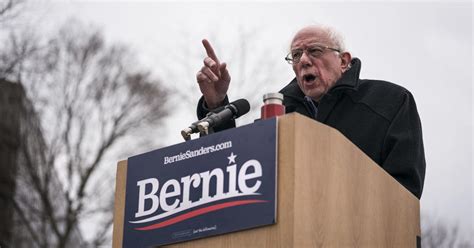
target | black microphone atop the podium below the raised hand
[{"x": 229, "y": 112}]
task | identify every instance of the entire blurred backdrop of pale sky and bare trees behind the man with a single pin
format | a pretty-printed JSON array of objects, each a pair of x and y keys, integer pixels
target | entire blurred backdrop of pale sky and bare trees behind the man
[{"x": 84, "y": 84}]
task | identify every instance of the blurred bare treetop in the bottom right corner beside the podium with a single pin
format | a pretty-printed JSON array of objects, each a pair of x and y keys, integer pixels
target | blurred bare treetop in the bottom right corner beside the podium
[{"x": 439, "y": 233}]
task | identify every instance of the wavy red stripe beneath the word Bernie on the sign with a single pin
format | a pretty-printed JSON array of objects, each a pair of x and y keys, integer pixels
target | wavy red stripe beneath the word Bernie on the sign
[{"x": 197, "y": 212}]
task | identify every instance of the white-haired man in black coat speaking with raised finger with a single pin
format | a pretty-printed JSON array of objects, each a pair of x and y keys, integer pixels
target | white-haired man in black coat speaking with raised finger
[{"x": 379, "y": 117}]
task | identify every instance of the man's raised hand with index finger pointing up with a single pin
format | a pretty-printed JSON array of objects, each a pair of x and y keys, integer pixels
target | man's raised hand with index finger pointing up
[{"x": 213, "y": 78}]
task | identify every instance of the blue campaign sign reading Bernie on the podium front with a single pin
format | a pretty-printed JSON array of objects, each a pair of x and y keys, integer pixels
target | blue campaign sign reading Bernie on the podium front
[{"x": 217, "y": 184}]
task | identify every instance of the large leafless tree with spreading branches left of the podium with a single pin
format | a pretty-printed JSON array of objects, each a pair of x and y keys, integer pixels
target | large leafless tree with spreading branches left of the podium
[{"x": 91, "y": 97}]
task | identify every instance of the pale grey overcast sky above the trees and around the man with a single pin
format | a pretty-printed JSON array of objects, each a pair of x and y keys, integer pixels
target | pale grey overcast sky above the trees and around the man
[{"x": 425, "y": 47}]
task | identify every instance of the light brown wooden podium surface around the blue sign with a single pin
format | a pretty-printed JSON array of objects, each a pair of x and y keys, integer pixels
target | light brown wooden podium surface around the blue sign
[{"x": 330, "y": 194}]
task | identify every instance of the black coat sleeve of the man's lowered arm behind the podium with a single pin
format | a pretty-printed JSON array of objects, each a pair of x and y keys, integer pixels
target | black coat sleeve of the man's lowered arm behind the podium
[{"x": 403, "y": 147}]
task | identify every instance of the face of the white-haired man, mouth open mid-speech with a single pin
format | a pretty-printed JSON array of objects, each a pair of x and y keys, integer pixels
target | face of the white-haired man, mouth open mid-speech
[{"x": 316, "y": 75}]
